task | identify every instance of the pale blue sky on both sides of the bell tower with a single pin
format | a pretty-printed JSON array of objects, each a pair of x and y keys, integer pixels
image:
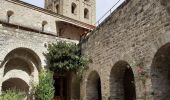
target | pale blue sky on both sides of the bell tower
[{"x": 102, "y": 6}]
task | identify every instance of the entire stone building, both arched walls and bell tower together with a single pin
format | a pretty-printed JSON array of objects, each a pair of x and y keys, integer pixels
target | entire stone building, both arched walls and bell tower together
[{"x": 130, "y": 49}]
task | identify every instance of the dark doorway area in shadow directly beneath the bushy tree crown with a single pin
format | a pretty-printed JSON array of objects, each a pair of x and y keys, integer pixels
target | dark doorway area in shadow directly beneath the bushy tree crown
[{"x": 67, "y": 86}]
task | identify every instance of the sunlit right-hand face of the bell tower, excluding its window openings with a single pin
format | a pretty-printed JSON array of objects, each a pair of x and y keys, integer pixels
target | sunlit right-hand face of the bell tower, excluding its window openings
[{"x": 81, "y": 5}]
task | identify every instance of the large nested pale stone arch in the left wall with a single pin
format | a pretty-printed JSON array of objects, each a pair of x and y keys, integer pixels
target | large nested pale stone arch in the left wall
[{"x": 21, "y": 66}]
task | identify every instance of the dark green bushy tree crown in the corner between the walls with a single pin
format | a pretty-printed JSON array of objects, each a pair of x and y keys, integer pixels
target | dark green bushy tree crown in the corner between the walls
[{"x": 63, "y": 57}]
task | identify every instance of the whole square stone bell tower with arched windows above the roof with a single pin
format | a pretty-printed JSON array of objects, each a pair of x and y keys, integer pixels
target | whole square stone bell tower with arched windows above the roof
[{"x": 81, "y": 10}]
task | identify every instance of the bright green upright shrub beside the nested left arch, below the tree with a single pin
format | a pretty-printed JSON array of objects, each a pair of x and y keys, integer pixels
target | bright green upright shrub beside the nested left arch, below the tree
[{"x": 45, "y": 89}]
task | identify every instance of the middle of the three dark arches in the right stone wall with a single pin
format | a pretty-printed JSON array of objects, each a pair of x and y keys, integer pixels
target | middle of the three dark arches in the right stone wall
[{"x": 122, "y": 84}]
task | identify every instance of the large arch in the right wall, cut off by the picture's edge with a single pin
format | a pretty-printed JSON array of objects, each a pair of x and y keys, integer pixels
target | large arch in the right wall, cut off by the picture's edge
[{"x": 160, "y": 73}]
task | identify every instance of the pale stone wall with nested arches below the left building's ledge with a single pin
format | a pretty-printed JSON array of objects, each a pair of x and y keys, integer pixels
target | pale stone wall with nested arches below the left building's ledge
[{"x": 22, "y": 53}]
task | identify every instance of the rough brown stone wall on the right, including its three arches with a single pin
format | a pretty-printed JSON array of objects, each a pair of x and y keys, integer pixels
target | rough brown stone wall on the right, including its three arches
[{"x": 133, "y": 43}]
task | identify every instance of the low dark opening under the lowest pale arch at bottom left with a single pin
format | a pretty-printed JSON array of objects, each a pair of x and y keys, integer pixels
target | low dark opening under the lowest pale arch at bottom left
[{"x": 15, "y": 84}]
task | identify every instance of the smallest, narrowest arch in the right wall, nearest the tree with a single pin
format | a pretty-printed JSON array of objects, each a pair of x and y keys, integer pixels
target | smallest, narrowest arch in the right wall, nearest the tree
[{"x": 93, "y": 86}]
